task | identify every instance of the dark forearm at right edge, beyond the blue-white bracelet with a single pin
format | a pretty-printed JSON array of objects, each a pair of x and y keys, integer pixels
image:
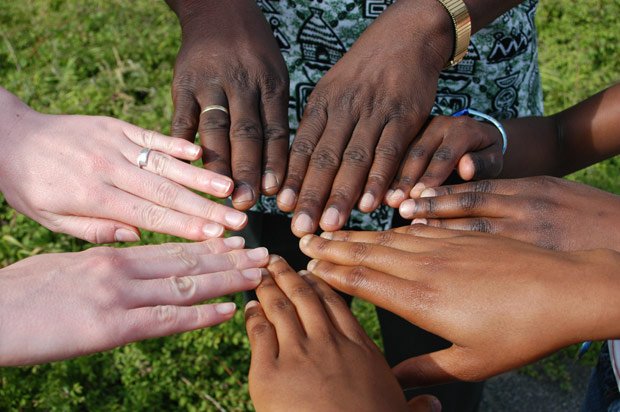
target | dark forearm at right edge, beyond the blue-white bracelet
[{"x": 580, "y": 136}]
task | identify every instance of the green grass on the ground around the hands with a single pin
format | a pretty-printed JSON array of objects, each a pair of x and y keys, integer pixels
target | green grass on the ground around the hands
[{"x": 115, "y": 58}]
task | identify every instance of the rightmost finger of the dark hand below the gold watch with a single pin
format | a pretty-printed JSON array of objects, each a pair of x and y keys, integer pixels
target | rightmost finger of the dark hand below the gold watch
[{"x": 388, "y": 156}]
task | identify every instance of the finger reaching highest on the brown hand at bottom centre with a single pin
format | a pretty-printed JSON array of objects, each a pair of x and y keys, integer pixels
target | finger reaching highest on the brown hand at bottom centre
[{"x": 310, "y": 311}]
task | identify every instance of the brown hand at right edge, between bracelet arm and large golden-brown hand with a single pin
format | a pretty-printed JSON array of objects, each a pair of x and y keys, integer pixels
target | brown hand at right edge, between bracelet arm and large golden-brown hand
[{"x": 548, "y": 212}]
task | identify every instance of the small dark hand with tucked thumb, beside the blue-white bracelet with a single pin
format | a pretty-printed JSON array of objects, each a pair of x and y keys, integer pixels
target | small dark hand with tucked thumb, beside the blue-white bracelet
[{"x": 473, "y": 148}]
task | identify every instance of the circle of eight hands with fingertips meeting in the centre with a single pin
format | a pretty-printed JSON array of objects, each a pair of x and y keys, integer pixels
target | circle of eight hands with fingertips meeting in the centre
[{"x": 360, "y": 144}]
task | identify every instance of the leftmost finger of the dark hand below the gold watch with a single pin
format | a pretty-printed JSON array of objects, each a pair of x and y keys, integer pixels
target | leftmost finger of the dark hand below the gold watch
[{"x": 310, "y": 130}]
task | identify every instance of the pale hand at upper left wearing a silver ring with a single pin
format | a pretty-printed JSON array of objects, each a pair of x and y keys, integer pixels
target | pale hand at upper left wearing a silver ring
[{"x": 78, "y": 175}]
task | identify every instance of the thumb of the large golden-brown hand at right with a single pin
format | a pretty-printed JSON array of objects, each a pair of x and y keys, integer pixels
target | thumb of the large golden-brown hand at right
[{"x": 433, "y": 368}]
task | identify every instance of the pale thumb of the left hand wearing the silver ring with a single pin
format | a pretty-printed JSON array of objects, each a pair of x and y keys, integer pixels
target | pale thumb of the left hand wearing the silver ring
[{"x": 96, "y": 230}]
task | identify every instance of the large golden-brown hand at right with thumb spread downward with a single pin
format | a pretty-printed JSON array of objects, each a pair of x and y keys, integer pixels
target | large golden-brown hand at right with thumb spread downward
[{"x": 501, "y": 302}]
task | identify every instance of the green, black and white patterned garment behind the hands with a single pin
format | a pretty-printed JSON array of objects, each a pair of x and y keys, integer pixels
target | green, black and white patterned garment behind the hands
[{"x": 499, "y": 75}]
